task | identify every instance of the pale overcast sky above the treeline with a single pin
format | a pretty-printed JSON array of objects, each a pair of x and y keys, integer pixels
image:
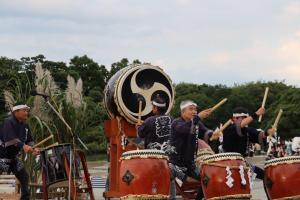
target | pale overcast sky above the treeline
[{"x": 212, "y": 41}]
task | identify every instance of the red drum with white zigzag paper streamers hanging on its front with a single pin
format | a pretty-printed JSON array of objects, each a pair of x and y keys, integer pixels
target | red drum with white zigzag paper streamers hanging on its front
[{"x": 225, "y": 176}]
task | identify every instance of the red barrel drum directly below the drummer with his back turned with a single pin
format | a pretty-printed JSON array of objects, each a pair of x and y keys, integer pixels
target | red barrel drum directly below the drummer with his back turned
[{"x": 144, "y": 174}]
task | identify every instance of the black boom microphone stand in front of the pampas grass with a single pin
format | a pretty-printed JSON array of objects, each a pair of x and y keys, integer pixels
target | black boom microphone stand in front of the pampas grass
[{"x": 72, "y": 154}]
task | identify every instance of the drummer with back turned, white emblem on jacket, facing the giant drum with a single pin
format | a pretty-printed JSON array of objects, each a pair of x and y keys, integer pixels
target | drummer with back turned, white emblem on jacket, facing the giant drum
[{"x": 156, "y": 130}]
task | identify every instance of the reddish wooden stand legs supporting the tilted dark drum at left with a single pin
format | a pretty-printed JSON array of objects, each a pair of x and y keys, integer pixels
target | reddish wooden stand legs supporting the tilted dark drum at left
[{"x": 73, "y": 188}]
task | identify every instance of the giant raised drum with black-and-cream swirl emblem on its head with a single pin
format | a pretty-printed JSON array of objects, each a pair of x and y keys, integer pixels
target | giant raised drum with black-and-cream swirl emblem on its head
[{"x": 137, "y": 82}]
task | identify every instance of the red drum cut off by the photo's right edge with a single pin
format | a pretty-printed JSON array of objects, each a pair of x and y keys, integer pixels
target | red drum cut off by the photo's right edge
[{"x": 282, "y": 177}]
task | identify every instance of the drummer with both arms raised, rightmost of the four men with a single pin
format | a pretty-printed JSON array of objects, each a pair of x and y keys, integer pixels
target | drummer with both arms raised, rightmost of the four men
[{"x": 238, "y": 136}]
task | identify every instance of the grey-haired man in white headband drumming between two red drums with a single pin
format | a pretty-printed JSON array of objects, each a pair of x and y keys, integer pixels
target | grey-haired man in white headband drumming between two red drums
[{"x": 186, "y": 130}]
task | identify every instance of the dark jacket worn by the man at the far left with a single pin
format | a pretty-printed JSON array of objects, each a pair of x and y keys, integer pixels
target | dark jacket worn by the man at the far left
[{"x": 13, "y": 135}]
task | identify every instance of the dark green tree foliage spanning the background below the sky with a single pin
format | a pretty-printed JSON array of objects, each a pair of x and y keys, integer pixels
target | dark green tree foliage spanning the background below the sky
[{"x": 18, "y": 75}]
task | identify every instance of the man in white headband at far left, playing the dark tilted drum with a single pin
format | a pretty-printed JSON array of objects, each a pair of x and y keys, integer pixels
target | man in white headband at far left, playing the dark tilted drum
[{"x": 15, "y": 136}]
